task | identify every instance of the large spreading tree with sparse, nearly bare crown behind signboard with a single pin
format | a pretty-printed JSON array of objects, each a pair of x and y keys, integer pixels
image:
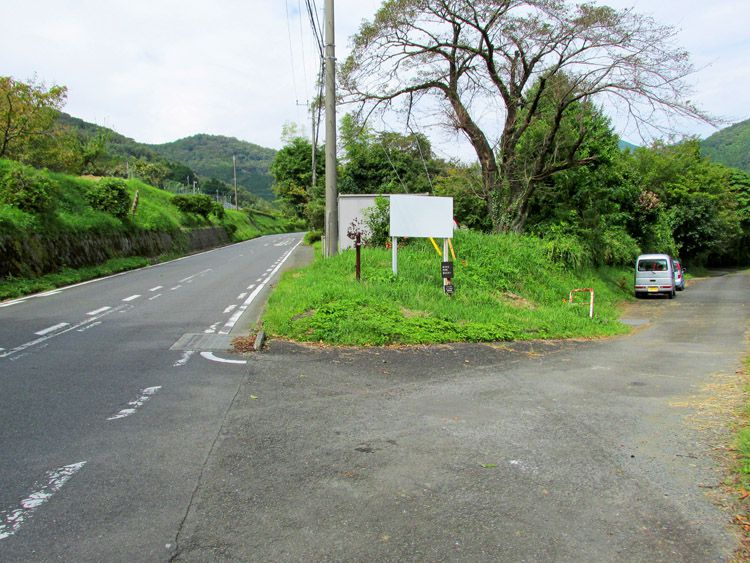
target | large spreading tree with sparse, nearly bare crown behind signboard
[{"x": 523, "y": 69}]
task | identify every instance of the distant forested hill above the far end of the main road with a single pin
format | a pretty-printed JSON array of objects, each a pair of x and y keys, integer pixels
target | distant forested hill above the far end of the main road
[{"x": 211, "y": 156}]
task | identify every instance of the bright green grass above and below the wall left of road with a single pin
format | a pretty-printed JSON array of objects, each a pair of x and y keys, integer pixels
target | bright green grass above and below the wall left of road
[{"x": 71, "y": 214}]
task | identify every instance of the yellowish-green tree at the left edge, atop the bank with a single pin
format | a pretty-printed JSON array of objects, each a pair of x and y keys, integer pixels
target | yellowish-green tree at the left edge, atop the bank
[{"x": 27, "y": 112}]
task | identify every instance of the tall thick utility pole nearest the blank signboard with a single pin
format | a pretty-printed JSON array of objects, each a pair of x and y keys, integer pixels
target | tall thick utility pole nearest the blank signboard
[{"x": 332, "y": 211}]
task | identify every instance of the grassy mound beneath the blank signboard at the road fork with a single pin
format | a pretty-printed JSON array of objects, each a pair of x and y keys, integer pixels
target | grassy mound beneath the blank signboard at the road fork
[{"x": 506, "y": 289}]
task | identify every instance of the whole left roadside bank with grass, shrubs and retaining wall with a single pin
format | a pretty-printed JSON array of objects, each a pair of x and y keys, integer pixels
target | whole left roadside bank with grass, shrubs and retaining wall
[{"x": 57, "y": 229}]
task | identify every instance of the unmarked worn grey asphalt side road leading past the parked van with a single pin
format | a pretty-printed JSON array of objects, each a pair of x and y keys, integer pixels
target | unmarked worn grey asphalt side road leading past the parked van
[{"x": 558, "y": 451}]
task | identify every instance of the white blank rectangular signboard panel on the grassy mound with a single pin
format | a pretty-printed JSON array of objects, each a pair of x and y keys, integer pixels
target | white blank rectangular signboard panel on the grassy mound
[{"x": 421, "y": 216}]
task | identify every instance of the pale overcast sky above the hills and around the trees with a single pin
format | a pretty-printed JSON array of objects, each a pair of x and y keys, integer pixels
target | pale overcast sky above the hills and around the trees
[{"x": 161, "y": 70}]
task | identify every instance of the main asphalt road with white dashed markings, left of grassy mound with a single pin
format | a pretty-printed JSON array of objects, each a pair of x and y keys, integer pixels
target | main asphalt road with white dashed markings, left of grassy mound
[{"x": 112, "y": 394}]
